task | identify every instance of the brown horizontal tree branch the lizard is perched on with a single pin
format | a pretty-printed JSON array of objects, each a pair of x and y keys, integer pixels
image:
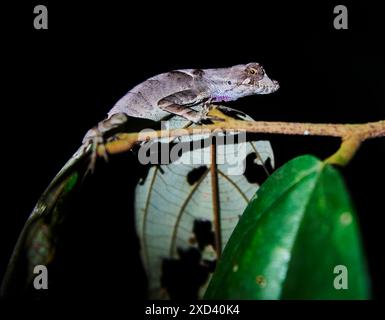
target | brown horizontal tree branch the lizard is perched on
[{"x": 351, "y": 134}]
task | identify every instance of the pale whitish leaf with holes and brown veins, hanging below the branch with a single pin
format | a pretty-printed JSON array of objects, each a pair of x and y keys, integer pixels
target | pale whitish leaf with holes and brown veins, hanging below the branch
[{"x": 167, "y": 204}]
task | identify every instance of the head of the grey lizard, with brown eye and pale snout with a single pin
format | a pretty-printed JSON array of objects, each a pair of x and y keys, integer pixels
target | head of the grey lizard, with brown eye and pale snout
[{"x": 254, "y": 80}]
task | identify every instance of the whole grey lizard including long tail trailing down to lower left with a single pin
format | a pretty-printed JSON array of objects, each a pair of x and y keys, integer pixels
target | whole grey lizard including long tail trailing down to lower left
[{"x": 186, "y": 93}]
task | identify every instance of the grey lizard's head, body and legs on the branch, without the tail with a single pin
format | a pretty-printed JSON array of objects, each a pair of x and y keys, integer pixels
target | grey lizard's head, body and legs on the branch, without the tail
[{"x": 176, "y": 92}]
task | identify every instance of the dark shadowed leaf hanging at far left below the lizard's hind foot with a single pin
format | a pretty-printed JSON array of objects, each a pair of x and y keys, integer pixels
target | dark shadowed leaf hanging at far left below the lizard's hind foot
[{"x": 38, "y": 238}]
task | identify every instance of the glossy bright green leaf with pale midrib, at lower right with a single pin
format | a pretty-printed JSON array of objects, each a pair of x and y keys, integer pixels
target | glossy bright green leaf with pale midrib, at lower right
[{"x": 298, "y": 227}]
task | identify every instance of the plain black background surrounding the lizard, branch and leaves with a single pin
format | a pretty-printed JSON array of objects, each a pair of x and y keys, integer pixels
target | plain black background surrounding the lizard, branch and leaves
[{"x": 61, "y": 81}]
